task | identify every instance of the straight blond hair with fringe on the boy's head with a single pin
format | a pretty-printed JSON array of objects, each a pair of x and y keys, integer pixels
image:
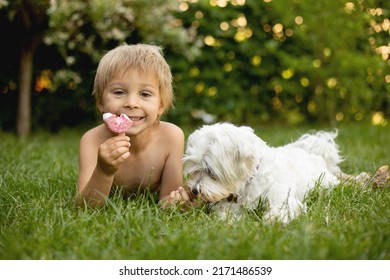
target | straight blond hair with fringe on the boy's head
[{"x": 143, "y": 57}]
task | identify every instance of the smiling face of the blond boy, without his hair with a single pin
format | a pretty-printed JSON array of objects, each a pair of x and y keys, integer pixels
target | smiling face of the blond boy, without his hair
[{"x": 135, "y": 94}]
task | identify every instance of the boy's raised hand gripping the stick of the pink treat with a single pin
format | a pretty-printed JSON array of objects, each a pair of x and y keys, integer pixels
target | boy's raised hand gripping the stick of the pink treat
[{"x": 112, "y": 153}]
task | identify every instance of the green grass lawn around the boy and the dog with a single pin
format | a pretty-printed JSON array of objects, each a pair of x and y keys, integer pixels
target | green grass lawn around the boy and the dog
[{"x": 38, "y": 219}]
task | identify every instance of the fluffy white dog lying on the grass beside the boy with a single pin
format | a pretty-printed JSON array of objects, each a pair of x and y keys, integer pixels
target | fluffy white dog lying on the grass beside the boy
[{"x": 222, "y": 160}]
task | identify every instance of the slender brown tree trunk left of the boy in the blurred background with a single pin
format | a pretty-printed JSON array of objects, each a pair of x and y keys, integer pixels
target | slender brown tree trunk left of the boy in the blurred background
[{"x": 23, "y": 122}]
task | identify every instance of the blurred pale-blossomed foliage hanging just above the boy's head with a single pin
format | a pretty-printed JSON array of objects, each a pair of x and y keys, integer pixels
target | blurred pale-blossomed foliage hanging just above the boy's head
[{"x": 93, "y": 27}]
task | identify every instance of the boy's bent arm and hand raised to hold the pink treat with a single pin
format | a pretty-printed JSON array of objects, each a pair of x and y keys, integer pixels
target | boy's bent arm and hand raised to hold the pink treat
[{"x": 97, "y": 166}]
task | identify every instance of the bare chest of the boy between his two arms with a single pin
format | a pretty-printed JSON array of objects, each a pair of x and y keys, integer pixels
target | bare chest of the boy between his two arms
[{"x": 143, "y": 170}]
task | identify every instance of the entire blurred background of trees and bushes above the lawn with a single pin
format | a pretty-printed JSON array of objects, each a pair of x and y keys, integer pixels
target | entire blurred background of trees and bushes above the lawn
[{"x": 244, "y": 61}]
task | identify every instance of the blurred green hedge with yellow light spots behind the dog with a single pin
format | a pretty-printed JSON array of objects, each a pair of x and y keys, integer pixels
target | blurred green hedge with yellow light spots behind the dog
[{"x": 292, "y": 61}]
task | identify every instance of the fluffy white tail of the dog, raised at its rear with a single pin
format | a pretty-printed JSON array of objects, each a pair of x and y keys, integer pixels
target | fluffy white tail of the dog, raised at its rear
[{"x": 322, "y": 143}]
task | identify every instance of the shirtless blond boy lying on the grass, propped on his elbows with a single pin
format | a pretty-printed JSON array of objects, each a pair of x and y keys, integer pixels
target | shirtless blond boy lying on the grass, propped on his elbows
[{"x": 134, "y": 80}]
